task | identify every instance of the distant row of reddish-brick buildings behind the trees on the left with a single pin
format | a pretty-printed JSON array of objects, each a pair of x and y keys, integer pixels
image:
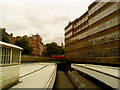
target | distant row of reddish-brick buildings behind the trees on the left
[{"x": 38, "y": 48}]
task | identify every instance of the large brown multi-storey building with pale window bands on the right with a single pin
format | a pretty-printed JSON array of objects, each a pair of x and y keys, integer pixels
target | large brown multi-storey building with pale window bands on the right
[{"x": 95, "y": 36}]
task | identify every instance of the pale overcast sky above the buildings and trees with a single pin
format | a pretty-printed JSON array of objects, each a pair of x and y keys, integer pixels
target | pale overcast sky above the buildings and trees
[{"x": 48, "y": 18}]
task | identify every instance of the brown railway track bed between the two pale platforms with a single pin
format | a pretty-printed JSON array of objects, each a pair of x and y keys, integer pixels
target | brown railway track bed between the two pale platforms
[{"x": 73, "y": 80}]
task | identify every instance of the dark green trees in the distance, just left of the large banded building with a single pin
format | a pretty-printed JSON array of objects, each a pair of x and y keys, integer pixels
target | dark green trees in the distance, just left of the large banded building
[{"x": 53, "y": 48}]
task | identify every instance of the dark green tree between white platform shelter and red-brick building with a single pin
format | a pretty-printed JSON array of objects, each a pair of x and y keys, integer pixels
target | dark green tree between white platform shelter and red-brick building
[{"x": 23, "y": 42}]
